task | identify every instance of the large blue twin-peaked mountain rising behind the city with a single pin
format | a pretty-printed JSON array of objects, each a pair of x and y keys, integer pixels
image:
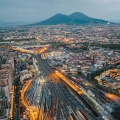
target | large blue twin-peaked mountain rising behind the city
[{"x": 74, "y": 18}]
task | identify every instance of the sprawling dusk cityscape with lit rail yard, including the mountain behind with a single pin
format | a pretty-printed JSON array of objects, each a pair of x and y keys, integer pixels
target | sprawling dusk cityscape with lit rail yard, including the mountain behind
[{"x": 66, "y": 67}]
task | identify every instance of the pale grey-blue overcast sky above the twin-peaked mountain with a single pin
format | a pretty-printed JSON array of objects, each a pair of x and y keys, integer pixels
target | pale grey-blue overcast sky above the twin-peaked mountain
[{"x": 38, "y": 10}]
